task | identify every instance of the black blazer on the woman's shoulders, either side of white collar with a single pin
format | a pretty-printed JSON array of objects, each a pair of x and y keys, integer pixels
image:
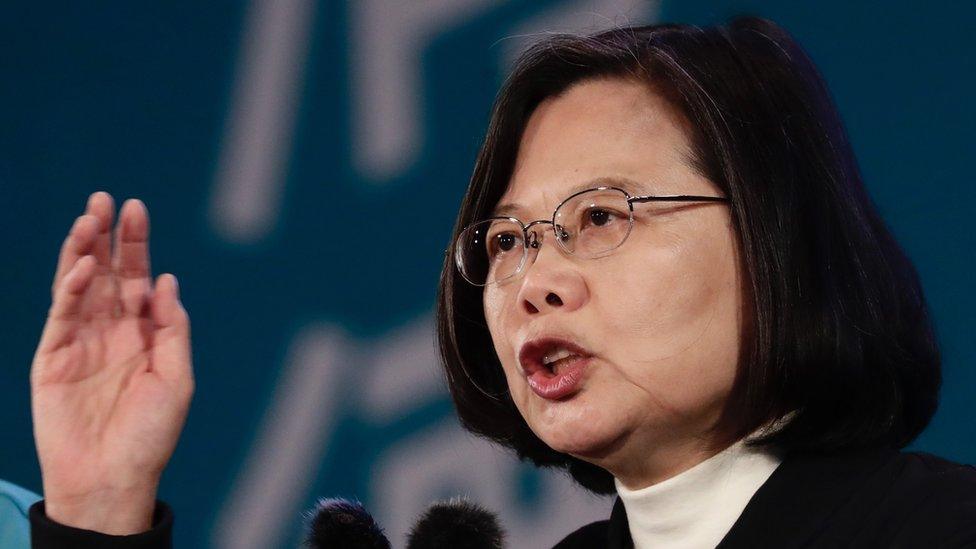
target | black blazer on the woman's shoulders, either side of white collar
[{"x": 876, "y": 498}]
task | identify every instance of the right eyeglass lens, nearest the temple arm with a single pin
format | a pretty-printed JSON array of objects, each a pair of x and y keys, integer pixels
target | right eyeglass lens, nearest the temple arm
[{"x": 593, "y": 223}]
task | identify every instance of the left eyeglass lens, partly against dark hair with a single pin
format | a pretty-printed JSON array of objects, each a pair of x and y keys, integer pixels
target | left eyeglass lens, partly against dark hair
[{"x": 490, "y": 251}]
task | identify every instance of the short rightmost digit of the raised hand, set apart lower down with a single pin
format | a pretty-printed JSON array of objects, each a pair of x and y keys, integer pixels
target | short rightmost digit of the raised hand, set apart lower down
[{"x": 171, "y": 339}]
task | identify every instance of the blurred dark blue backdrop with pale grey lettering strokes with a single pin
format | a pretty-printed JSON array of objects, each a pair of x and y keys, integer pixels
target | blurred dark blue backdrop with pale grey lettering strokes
[{"x": 302, "y": 162}]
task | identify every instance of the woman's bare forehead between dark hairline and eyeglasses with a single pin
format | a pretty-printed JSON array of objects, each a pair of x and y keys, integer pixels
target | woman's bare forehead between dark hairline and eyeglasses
[{"x": 599, "y": 132}]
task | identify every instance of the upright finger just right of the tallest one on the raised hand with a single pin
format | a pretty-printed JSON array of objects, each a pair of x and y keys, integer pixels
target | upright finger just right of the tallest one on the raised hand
[{"x": 130, "y": 258}]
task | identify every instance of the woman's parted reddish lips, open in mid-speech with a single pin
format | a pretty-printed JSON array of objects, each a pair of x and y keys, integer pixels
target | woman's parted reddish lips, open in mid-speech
[{"x": 554, "y": 367}]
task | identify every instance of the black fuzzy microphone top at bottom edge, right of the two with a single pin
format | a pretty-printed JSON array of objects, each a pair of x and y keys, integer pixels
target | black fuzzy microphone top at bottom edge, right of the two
[{"x": 457, "y": 524}]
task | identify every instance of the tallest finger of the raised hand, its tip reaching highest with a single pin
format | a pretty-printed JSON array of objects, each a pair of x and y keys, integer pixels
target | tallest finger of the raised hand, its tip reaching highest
[{"x": 104, "y": 292}]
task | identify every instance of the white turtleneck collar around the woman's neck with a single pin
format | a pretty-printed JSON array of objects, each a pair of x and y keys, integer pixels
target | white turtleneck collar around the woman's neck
[{"x": 697, "y": 507}]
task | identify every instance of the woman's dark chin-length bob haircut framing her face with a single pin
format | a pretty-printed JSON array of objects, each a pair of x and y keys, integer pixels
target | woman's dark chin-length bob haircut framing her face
[{"x": 840, "y": 353}]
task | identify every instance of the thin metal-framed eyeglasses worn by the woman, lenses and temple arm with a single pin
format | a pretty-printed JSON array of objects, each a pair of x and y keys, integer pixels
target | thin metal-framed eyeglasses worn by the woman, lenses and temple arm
[{"x": 588, "y": 224}]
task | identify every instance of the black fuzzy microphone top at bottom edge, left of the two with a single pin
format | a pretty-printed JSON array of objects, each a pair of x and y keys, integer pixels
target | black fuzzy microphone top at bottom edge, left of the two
[{"x": 338, "y": 523}]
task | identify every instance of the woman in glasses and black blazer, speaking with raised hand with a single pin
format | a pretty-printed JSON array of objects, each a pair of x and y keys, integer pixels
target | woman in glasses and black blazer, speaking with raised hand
[{"x": 666, "y": 278}]
